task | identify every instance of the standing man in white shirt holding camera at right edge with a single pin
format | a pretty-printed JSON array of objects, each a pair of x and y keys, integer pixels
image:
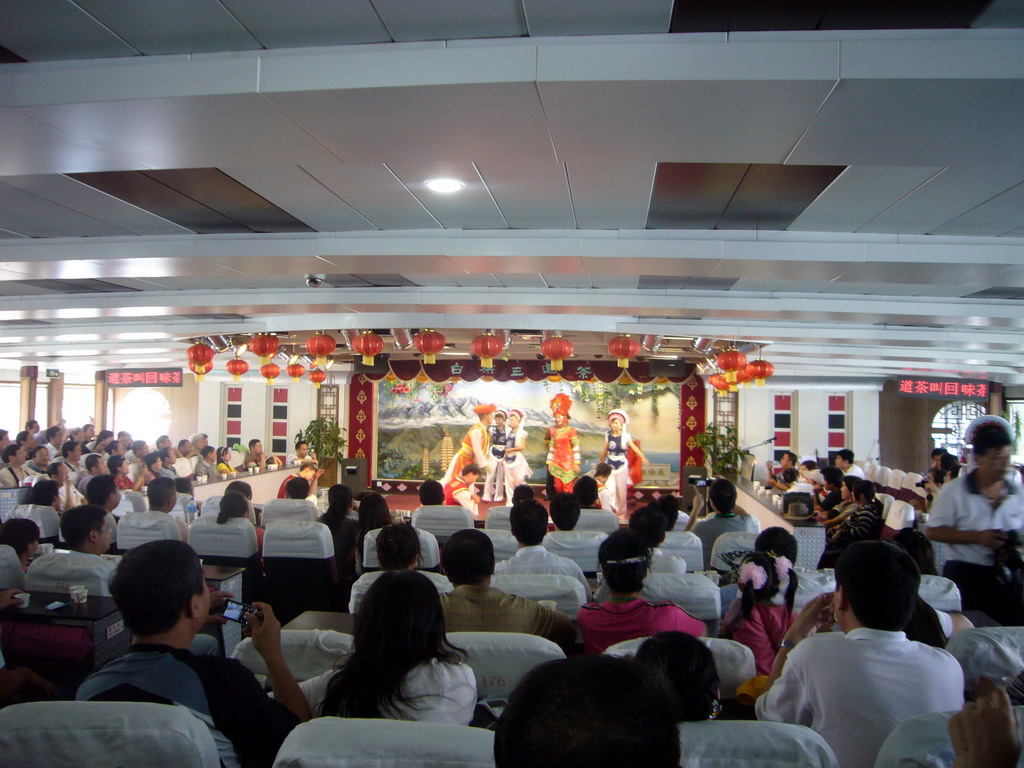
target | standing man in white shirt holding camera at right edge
[{"x": 980, "y": 518}]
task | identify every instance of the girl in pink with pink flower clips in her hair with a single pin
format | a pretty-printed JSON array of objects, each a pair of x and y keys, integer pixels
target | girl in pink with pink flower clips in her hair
[{"x": 760, "y": 617}]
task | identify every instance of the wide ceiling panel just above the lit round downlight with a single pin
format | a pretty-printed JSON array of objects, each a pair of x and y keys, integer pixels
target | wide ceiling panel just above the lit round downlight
[{"x": 394, "y": 125}]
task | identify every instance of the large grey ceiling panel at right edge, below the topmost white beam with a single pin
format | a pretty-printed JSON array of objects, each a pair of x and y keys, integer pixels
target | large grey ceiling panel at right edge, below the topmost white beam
[{"x": 917, "y": 123}]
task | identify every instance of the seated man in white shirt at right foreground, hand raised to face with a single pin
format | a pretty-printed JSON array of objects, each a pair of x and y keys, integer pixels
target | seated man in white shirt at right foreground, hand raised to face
[{"x": 856, "y": 687}]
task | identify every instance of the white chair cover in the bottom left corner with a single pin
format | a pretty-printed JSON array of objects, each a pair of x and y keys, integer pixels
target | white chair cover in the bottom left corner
[{"x": 105, "y": 735}]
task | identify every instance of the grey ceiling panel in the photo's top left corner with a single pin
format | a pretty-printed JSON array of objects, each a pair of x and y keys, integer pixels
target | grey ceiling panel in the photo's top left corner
[{"x": 45, "y": 30}]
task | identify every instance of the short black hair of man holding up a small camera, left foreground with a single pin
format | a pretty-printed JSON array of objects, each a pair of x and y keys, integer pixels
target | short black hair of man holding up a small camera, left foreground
[{"x": 154, "y": 584}]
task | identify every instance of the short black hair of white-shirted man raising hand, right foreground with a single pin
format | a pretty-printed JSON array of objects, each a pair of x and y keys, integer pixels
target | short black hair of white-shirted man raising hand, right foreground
[{"x": 881, "y": 581}]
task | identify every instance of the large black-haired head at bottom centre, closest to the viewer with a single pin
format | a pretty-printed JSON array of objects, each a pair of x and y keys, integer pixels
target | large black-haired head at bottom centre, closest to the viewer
[{"x": 589, "y": 712}]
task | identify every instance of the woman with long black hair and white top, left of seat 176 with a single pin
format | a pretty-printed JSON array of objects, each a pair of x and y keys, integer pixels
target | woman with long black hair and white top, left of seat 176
[{"x": 402, "y": 666}]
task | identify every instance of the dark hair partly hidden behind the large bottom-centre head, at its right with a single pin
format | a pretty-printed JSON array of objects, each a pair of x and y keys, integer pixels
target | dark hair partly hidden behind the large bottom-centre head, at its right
[{"x": 690, "y": 667}]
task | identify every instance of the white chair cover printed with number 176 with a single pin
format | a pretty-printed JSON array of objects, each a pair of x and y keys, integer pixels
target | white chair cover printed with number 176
[{"x": 501, "y": 659}]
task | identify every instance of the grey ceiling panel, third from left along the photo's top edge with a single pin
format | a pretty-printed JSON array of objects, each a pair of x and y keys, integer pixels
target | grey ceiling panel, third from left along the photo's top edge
[{"x": 307, "y": 23}]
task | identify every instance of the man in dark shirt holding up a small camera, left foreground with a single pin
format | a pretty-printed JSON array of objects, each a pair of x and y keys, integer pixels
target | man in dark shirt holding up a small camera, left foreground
[{"x": 160, "y": 591}]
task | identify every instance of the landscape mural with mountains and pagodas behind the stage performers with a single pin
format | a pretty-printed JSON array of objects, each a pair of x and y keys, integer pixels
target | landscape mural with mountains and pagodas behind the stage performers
[{"x": 420, "y": 423}]
